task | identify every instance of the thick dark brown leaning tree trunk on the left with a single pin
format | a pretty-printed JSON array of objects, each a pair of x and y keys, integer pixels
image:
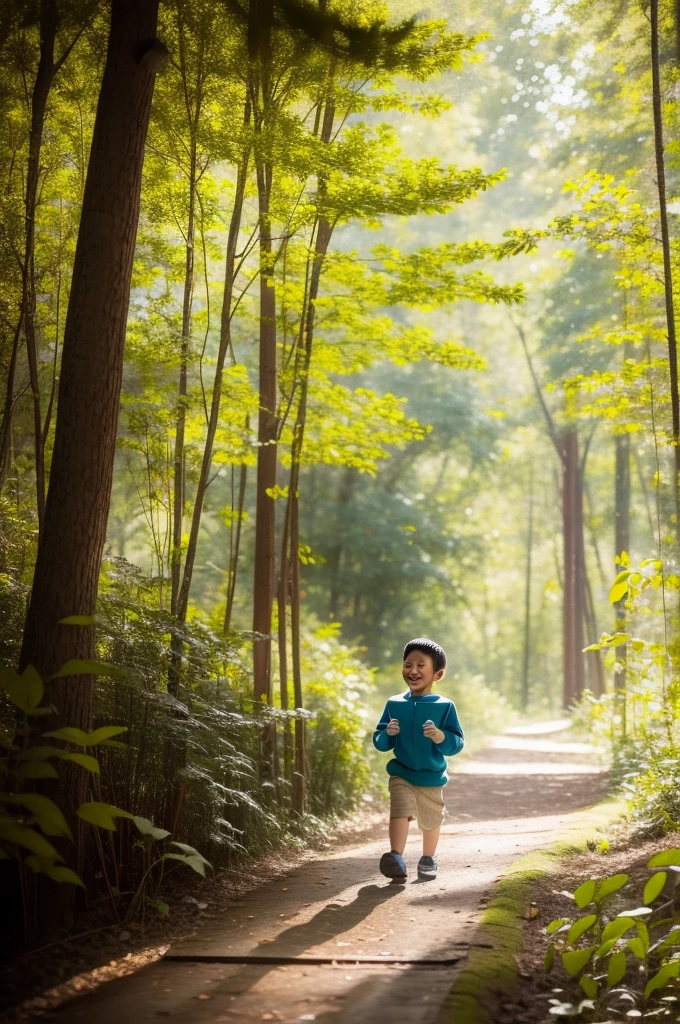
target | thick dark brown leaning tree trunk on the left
[{"x": 77, "y": 507}]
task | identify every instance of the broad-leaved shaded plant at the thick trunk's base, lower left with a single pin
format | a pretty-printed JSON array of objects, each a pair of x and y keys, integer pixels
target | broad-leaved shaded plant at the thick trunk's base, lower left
[{"x": 29, "y": 821}]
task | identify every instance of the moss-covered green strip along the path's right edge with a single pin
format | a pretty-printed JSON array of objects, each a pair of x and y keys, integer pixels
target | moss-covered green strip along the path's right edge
[{"x": 491, "y": 971}]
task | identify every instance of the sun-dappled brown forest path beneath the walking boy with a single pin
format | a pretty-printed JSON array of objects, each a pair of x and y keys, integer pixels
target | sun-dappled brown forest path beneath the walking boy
[{"x": 382, "y": 951}]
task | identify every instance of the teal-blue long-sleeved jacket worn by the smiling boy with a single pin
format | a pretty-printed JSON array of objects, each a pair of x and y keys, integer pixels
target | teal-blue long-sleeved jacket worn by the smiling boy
[{"x": 417, "y": 758}]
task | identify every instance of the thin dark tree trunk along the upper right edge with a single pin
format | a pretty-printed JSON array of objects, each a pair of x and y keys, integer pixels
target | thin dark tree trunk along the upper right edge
[{"x": 666, "y": 246}]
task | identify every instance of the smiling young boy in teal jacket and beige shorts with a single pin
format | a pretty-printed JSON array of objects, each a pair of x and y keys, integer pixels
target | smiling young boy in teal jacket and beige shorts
[{"x": 422, "y": 729}]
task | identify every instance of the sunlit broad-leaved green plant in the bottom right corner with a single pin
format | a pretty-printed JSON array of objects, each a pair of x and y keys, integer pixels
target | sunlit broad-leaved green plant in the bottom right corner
[{"x": 622, "y": 960}]
